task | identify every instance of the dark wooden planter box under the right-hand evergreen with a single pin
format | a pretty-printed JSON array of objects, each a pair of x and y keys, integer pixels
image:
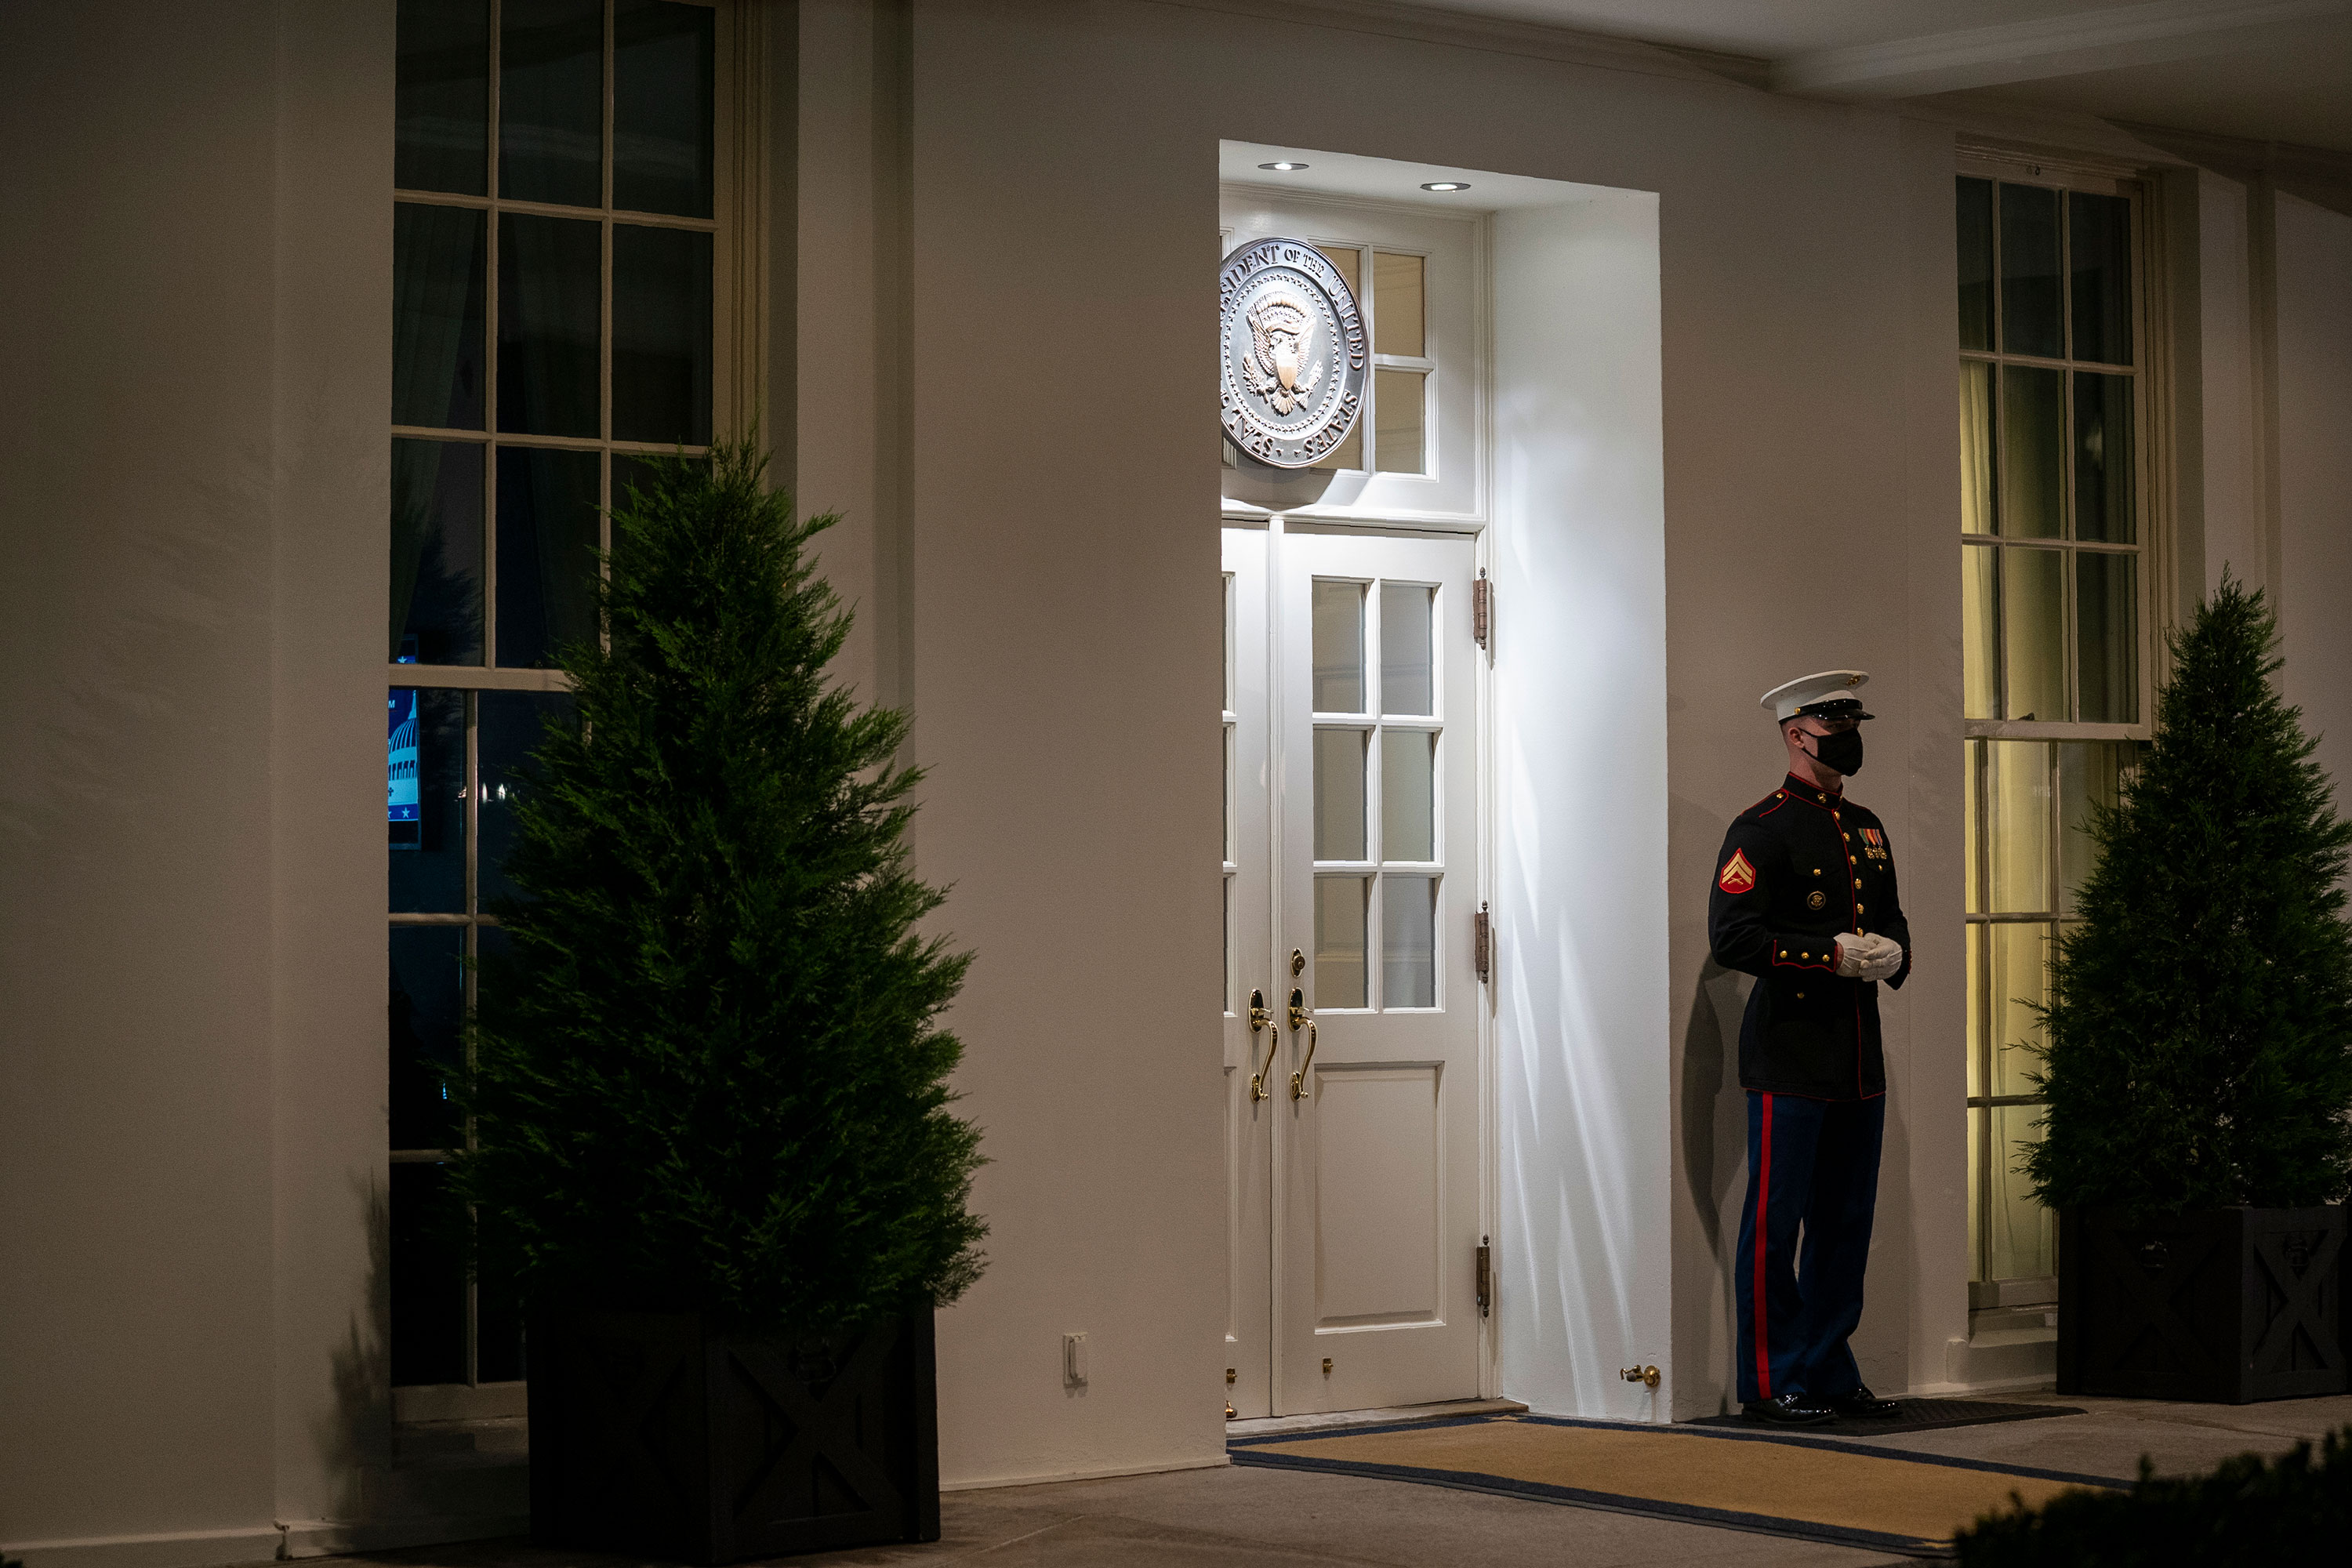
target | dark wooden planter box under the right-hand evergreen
[{"x": 2221, "y": 1306}]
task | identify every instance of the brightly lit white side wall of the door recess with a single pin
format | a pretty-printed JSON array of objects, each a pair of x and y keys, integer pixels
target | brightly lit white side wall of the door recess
[{"x": 1579, "y": 758}]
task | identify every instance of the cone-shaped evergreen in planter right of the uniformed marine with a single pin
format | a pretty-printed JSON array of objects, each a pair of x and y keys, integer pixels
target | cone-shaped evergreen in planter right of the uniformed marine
[{"x": 2198, "y": 1036}]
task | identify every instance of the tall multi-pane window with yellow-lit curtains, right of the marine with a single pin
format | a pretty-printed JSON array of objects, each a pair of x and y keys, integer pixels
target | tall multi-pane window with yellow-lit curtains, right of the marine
[{"x": 2054, "y": 659}]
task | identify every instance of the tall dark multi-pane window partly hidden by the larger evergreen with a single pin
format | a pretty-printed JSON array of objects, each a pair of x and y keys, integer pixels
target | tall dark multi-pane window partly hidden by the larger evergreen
[{"x": 554, "y": 243}]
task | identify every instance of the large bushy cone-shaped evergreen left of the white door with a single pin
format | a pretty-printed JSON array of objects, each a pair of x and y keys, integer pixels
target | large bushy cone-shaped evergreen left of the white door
[{"x": 709, "y": 1071}]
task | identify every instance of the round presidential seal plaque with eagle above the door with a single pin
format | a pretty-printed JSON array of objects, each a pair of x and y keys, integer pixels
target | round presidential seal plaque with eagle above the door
[{"x": 1292, "y": 354}]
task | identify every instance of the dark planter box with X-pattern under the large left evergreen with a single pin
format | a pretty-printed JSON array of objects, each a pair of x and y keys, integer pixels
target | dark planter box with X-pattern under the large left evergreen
[{"x": 667, "y": 1438}]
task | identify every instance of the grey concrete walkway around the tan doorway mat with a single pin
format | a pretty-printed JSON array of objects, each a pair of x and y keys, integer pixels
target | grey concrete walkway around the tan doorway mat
[{"x": 1288, "y": 1520}]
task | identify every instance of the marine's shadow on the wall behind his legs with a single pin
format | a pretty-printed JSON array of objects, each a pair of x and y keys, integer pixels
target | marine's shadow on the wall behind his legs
[{"x": 1716, "y": 1141}]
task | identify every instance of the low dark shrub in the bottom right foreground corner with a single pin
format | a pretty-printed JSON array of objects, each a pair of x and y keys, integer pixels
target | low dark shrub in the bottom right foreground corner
[{"x": 2252, "y": 1513}]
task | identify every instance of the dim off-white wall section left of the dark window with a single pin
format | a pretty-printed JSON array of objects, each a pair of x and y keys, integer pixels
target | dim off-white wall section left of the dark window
[{"x": 196, "y": 253}]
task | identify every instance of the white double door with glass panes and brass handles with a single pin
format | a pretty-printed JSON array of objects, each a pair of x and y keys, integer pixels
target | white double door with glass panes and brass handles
[{"x": 1354, "y": 986}]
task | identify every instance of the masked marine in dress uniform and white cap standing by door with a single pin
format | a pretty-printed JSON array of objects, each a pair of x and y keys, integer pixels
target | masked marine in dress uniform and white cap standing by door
[{"x": 1805, "y": 902}]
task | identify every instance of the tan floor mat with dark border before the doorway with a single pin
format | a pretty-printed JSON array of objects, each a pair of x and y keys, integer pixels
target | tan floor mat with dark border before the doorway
[{"x": 1775, "y": 1485}]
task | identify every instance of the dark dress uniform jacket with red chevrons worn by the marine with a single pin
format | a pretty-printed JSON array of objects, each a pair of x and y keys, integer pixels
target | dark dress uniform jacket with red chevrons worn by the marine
[{"x": 1798, "y": 869}]
